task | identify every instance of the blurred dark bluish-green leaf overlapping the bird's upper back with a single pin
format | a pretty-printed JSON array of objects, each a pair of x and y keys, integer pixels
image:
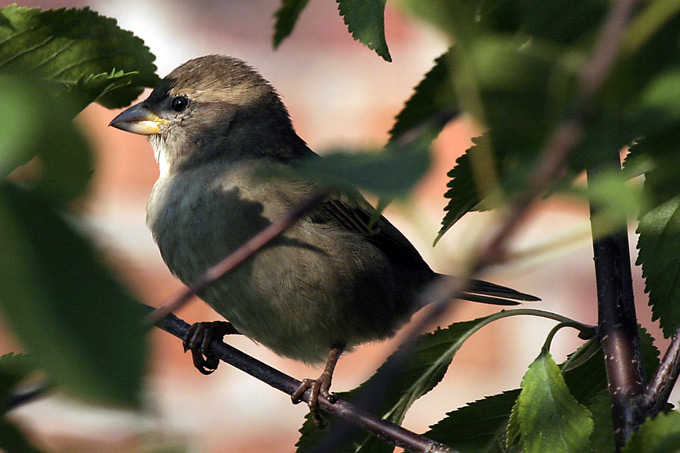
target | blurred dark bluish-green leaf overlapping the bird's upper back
[{"x": 390, "y": 173}]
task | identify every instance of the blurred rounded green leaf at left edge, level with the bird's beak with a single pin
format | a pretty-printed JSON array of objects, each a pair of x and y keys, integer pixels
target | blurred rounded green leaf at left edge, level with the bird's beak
[{"x": 34, "y": 125}]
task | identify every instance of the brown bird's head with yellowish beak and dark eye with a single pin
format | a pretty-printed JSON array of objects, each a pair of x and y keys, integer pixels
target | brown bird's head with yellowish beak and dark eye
[{"x": 212, "y": 107}]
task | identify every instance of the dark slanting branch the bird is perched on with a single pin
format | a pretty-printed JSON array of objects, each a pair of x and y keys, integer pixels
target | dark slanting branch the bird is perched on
[{"x": 394, "y": 434}]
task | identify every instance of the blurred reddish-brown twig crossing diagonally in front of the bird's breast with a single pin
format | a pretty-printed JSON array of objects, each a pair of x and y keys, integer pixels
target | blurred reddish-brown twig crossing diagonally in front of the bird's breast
[{"x": 238, "y": 257}]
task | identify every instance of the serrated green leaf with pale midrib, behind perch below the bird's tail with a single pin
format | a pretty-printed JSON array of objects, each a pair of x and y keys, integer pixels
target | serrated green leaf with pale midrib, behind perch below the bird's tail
[{"x": 426, "y": 366}]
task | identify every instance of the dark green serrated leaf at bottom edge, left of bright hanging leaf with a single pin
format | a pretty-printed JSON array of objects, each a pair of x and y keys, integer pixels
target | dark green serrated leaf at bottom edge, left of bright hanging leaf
[{"x": 477, "y": 427}]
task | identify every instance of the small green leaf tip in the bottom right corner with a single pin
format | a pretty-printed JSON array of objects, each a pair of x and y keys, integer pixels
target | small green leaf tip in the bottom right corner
[{"x": 658, "y": 435}]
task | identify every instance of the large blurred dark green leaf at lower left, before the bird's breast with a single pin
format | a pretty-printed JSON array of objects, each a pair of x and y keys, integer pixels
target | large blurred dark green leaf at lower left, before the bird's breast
[{"x": 79, "y": 325}]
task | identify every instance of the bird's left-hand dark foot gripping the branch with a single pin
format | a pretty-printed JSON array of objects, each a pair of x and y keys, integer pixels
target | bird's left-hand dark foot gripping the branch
[{"x": 198, "y": 338}]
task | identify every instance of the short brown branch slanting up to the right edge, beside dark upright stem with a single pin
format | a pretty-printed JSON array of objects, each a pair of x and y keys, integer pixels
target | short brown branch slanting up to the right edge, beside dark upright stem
[{"x": 660, "y": 386}]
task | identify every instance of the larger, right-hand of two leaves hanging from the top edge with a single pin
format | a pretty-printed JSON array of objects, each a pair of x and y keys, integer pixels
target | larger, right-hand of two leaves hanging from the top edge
[{"x": 365, "y": 19}]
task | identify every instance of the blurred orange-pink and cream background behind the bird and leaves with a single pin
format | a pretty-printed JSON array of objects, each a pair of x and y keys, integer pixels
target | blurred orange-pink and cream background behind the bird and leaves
[{"x": 339, "y": 93}]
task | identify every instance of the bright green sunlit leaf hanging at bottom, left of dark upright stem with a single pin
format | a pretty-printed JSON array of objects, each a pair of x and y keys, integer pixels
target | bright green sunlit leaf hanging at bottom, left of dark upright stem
[{"x": 550, "y": 418}]
